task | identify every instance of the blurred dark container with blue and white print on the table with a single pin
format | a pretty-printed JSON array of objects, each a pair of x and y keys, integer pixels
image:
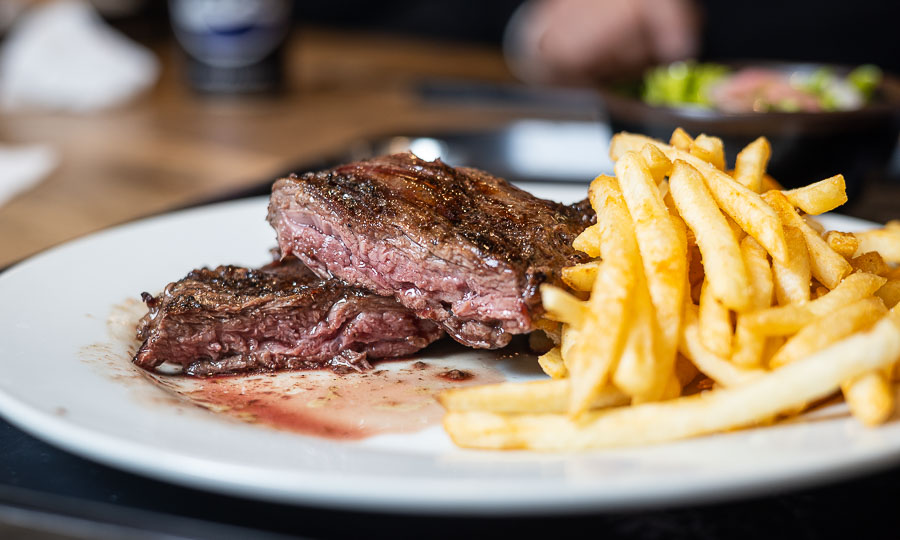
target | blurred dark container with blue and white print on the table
[{"x": 232, "y": 46}]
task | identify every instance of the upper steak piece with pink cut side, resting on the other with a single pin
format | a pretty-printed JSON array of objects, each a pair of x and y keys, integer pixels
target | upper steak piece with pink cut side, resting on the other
[{"x": 455, "y": 245}]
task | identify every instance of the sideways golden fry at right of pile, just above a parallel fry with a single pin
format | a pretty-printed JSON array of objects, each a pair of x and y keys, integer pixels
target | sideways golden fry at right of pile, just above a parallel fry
[{"x": 789, "y": 319}]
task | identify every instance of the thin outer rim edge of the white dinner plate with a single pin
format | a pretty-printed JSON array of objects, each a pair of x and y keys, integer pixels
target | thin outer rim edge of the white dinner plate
[{"x": 107, "y": 449}]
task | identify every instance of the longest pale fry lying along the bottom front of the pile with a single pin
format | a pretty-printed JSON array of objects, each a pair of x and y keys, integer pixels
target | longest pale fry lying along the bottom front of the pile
[{"x": 787, "y": 388}]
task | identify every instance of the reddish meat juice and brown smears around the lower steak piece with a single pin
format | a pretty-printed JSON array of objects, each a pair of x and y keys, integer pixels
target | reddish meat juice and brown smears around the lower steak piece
[{"x": 396, "y": 396}]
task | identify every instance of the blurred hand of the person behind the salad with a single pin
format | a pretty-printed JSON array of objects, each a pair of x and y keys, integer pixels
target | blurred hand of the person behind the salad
[{"x": 575, "y": 41}]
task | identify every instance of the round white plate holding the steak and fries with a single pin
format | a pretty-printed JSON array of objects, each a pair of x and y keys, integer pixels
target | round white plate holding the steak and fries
[{"x": 54, "y": 309}]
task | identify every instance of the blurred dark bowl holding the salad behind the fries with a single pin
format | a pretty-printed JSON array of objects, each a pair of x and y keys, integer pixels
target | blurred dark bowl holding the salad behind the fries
[{"x": 806, "y": 146}]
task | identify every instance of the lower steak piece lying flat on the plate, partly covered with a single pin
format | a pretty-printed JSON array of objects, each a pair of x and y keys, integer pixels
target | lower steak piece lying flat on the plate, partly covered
[{"x": 282, "y": 316}]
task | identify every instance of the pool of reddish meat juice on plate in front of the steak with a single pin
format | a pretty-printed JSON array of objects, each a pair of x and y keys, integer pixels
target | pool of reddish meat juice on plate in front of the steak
[{"x": 398, "y": 396}]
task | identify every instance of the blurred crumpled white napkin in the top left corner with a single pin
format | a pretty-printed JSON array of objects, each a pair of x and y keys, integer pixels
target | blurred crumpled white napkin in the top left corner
[{"x": 62, "y": 56}]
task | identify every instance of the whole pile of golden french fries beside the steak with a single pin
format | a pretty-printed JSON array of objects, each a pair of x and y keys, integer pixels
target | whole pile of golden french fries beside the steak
[{"x": 714, "y": 301}]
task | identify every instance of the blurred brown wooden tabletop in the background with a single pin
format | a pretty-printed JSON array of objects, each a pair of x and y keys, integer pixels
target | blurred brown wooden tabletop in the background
[{"x": 173, "y": 146}]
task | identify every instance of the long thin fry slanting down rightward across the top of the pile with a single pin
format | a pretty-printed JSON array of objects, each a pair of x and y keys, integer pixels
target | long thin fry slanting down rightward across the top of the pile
[{"x": 746, "y": 207}]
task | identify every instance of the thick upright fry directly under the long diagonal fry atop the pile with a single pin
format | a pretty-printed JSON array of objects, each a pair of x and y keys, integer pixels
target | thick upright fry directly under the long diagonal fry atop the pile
[{"x": 722, "y": 261}]
